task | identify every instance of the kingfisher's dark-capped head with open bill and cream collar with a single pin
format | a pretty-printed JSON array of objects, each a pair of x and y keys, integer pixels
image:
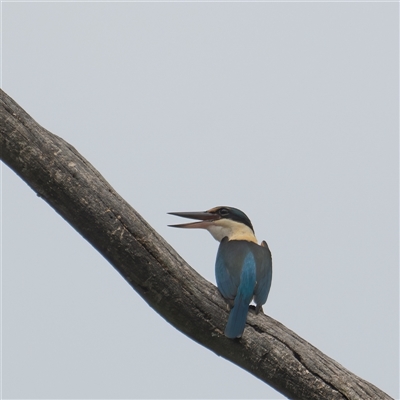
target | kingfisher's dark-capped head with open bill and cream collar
[{"x": 220, "y": 222}]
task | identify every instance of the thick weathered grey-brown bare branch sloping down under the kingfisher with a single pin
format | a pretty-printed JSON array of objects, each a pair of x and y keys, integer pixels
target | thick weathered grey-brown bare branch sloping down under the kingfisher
[{"x": 77, "y": 191}]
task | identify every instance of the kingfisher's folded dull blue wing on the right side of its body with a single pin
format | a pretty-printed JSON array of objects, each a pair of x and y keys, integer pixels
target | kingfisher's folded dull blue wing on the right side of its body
[{"x": 264, "y": 275}]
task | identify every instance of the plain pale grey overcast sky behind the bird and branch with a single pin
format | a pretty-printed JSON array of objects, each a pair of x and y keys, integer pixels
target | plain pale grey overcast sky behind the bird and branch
[{"x": 288, "y": 111}]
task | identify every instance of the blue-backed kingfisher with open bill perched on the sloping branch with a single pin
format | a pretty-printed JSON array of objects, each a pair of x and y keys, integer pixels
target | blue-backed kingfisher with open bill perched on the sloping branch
[{"x": 243, "y": 268}]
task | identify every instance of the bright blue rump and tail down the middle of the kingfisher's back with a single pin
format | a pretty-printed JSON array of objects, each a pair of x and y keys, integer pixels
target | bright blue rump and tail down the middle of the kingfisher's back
[{"x": 238, "y": 315}]
